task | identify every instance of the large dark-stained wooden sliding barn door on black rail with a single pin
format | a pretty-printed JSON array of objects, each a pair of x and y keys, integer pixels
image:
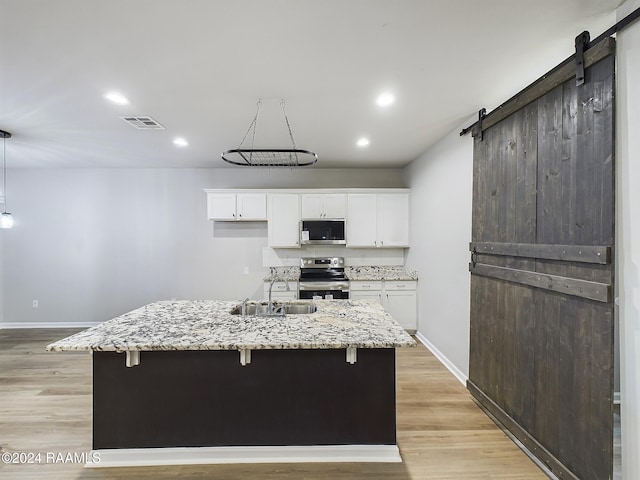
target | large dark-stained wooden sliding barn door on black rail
[{"x": 541, "y": 351}]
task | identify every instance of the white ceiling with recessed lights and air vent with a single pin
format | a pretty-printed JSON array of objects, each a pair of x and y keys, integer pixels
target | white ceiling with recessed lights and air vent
[{"x": 199, "y": 67}]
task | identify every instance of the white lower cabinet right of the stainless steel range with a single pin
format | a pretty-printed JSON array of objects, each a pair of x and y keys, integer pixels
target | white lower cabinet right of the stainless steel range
[{"x": 398, "y": 298}]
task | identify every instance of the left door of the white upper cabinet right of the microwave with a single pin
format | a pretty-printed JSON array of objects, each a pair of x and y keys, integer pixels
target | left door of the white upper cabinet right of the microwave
[{"x": 361, "y": 220}]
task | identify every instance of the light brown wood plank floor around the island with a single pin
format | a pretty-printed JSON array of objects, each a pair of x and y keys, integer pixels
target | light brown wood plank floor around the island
[{"x": 45, "y": 406}]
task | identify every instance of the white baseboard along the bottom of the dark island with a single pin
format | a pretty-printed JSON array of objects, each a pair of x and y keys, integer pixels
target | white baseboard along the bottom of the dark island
[{"x": 139, "y": 457}]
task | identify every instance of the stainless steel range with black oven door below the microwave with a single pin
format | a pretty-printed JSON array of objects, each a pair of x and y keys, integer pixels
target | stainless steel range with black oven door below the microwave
[{"x": 323, "y": 277}]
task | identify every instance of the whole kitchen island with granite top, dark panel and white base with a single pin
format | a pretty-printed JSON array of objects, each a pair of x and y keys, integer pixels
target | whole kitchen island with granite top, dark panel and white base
[{"x": 179, "y": 382}]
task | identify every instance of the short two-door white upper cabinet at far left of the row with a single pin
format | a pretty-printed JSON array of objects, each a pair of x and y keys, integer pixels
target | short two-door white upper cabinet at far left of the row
[{"x": 240, "y": 206}]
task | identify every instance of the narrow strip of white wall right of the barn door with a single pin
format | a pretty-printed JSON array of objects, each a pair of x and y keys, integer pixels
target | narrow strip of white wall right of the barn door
[{"x": 628, "y": 237}]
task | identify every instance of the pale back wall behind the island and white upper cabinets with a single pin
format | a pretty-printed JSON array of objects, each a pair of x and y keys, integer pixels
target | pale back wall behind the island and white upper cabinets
[{"x": 90, "y": 244}]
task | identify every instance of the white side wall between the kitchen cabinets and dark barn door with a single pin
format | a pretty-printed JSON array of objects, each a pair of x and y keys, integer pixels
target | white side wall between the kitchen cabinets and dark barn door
[{"x": 441, "y": 187}]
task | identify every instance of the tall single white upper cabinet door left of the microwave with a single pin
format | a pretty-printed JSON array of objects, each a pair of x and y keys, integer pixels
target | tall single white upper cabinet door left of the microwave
[{"x": 283, "y": 226}]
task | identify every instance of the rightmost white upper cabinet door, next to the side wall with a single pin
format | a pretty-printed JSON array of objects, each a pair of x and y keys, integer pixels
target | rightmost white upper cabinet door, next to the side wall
[{"x": 393, "y": 220}]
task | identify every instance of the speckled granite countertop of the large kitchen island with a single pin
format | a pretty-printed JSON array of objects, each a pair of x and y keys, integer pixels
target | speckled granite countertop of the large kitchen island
[{"x": 208, "y": 325}]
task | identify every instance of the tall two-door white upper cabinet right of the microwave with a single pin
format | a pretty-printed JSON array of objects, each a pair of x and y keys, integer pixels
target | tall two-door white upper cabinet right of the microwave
[{"x": 378, "y": 220}]
